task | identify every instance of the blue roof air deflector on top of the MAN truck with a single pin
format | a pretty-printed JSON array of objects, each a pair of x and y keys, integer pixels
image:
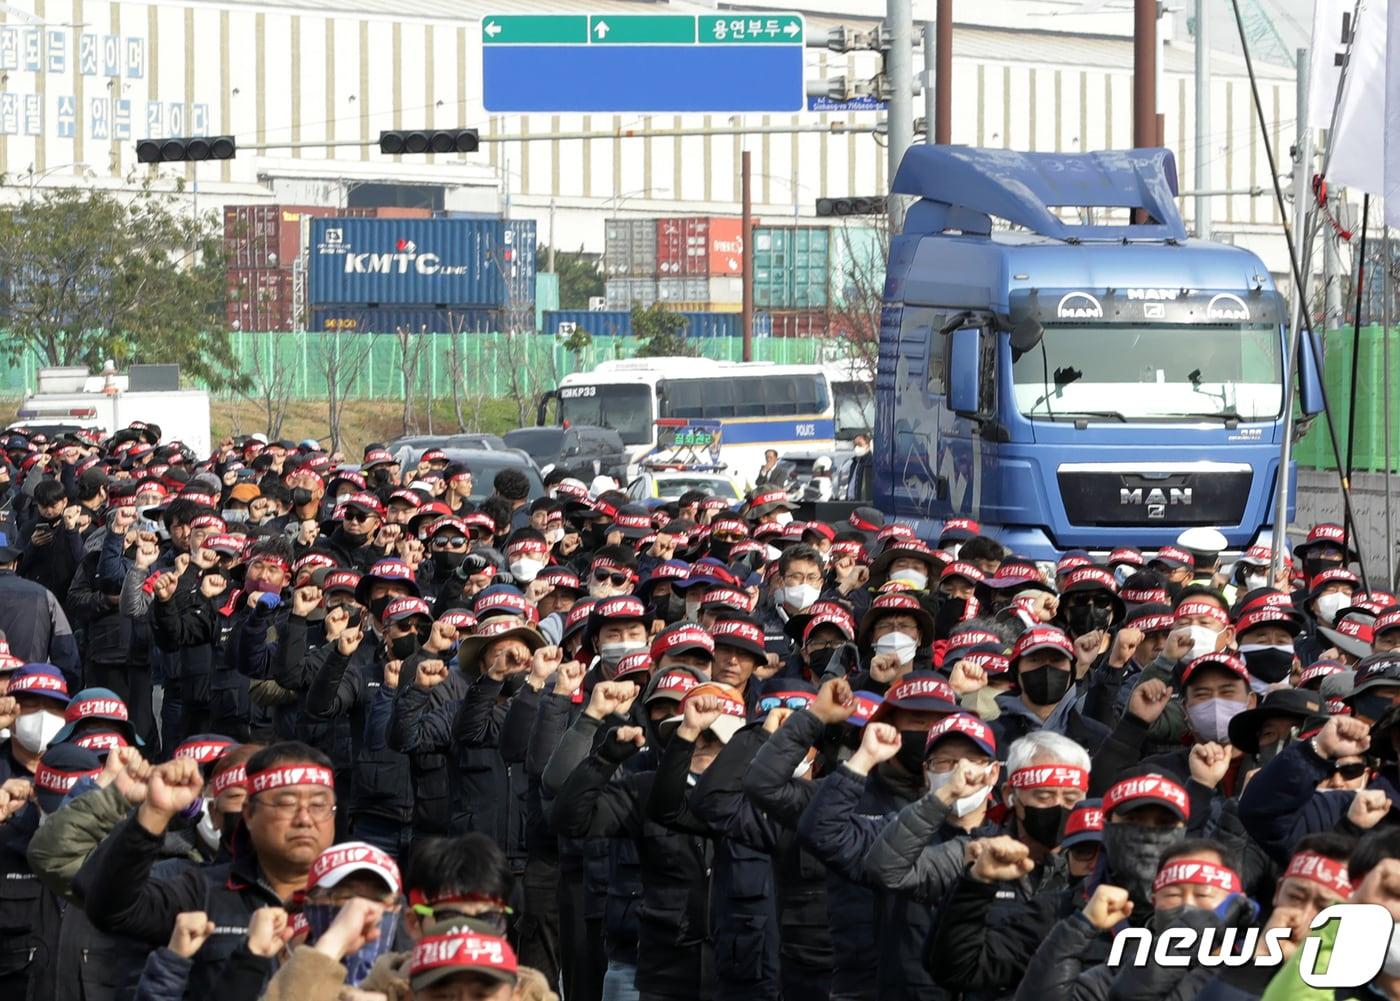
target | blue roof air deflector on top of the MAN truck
[{"x": 962, "y": 187}]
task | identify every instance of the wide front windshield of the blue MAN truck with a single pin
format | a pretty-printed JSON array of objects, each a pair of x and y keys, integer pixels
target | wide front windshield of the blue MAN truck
[{"x": 1151, "y": 373}]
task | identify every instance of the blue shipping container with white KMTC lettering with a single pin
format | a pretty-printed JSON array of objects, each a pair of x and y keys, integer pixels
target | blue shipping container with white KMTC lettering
[{"x": 426, "y": 262}]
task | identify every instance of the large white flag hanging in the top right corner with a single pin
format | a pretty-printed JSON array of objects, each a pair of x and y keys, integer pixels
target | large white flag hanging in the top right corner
[{"x": 1357, "y": 159}]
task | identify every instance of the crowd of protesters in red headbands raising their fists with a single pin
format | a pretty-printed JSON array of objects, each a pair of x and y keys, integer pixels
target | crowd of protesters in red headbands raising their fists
[{"x": 276, "y": 727}]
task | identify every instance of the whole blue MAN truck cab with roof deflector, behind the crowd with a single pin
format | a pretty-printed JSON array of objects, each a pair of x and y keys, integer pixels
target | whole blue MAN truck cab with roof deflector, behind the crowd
[{"x": 1076, "y": 384}]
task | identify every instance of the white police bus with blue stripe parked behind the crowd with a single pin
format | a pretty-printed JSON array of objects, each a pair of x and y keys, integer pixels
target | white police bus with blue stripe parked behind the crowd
[{"x": 761, "y": 407}]
